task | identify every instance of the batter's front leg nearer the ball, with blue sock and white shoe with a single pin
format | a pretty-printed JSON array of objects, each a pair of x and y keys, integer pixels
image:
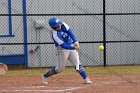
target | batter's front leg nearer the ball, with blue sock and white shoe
[{"x": 74, "y": 58}]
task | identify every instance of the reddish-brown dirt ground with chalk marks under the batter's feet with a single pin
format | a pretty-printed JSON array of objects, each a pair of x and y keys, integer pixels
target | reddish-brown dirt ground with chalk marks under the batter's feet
[{"x": 70, "y": 84}]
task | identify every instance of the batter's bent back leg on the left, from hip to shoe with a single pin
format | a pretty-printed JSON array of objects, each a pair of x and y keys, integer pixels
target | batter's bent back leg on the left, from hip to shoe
[{"x": 61, "y": 58}]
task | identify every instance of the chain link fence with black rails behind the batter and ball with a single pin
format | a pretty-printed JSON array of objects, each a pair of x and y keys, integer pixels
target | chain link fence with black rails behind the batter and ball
[{"x": 87, "y": 18}]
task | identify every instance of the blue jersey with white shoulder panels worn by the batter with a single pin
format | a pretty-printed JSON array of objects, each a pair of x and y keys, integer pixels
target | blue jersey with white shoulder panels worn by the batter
[{"x": 64, "y": 37}]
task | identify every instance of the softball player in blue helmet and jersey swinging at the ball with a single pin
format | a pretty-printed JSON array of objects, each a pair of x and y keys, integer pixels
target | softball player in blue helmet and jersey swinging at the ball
[{"x": 67, "y": 48}]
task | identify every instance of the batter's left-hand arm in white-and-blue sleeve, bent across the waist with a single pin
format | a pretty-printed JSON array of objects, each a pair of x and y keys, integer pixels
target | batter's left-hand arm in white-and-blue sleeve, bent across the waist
[{"x": 57, "y": 39}]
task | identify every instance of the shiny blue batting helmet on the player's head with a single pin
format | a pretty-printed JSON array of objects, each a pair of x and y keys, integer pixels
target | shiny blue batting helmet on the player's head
[{"x": 54, "y": 22}]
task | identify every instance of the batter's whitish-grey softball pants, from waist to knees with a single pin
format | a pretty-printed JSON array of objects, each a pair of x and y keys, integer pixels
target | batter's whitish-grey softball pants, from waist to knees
[{"x": 63, "y": 55}]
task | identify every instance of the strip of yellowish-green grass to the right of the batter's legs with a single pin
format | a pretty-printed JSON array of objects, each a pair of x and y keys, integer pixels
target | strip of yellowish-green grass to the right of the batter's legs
[{"x": 116, "y": 70}]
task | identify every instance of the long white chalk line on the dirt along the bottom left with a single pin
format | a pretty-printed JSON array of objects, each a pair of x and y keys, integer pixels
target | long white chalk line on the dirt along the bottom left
[{"x": 29, "y": 90}]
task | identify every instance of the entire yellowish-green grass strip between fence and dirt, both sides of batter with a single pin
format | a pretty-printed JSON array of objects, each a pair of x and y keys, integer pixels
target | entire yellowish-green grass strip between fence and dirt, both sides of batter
[{"x": 109, "y": 70}]
